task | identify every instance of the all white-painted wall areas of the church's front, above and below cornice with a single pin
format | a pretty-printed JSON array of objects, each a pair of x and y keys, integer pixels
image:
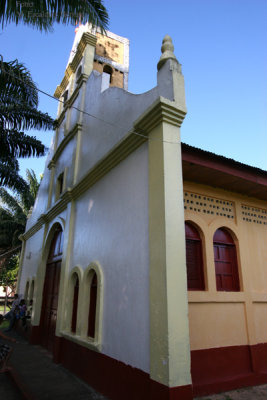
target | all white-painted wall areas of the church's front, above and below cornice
[{"x": 111, "y": 221}]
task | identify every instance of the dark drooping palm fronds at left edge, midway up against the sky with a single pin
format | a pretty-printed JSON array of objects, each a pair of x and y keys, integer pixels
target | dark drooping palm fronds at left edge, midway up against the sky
[{"x": 18, "y": 112}]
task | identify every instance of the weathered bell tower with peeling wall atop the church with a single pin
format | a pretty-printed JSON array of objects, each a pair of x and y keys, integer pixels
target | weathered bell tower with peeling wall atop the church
[{"x": 92, "y": 50}]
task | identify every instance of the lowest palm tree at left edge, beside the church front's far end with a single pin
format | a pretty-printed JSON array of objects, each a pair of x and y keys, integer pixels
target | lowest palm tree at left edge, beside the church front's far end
[{"x": 13, "y": 217}]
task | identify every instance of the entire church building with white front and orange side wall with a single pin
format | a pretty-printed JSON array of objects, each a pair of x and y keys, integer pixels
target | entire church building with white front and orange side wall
[{"x": 145, "y": 258}]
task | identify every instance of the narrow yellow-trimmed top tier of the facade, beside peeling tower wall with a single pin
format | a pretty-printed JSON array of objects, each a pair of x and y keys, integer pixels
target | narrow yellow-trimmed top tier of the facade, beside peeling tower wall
[{"x": 87, "y": 39}]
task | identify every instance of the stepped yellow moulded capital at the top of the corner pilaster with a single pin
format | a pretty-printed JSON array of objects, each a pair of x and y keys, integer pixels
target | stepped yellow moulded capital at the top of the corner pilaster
[{"x": 162, "y": 110}]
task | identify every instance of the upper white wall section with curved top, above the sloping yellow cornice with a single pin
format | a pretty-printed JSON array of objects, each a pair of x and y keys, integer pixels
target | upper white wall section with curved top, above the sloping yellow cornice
[{"x": 113, "y": 113}]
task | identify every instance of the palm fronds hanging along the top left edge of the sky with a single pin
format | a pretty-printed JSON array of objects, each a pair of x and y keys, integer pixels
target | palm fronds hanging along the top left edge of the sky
[{"x": 43, "y": 14}]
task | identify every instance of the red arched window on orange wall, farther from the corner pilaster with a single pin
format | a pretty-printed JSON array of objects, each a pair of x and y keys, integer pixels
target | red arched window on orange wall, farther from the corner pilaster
[{"x": 225, "y": 261}]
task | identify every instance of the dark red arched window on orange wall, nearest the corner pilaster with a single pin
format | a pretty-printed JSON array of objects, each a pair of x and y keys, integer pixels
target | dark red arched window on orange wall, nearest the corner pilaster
[{"x": 194, "y": 259}]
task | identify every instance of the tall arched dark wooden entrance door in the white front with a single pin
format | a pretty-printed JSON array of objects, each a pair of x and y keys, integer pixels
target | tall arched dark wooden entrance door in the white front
[{"x": 51, "y": 291}]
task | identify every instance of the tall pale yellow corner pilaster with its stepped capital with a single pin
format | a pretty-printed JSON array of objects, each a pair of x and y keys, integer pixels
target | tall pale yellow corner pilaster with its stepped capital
[{"x": 169, "y": 330}]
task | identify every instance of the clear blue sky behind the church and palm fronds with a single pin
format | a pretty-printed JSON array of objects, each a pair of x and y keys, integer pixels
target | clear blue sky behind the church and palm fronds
[{"x": 221, "y": 45}]
